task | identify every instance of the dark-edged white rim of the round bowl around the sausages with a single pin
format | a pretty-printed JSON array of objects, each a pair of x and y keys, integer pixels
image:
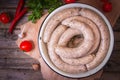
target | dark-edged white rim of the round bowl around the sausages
[{"x": 81, "y": 5}]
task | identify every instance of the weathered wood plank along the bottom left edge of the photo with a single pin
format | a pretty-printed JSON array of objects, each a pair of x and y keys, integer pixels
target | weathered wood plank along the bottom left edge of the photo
[{"x": 10, "y": 74}]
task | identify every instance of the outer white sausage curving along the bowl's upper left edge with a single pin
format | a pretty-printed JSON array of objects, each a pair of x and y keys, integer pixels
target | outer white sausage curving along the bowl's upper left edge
[{"x": 56, "y": 19}]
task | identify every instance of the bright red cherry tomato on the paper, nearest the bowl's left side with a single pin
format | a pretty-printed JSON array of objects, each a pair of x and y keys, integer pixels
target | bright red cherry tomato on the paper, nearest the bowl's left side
[{"x": 26, "y": 46}]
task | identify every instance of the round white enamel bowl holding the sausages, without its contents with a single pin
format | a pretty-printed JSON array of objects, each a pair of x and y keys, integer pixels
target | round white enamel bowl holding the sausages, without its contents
[{"x": 43, "y": 49}]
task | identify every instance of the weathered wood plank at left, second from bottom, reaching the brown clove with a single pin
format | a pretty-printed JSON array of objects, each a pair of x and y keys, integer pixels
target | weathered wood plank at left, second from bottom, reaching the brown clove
[{"x": 18, "y": 63}]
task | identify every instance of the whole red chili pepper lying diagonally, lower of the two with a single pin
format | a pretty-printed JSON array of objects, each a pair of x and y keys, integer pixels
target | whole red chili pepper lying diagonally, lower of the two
[{"x": 16, "y": 19}]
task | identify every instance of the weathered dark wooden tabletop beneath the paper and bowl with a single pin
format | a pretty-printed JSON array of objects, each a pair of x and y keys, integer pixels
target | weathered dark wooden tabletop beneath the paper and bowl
[{"x": 16, "y": 65}]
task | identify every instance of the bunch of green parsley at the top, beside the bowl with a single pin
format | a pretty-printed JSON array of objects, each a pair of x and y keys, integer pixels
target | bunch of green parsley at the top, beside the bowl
[{"x": 37, "y": 7}]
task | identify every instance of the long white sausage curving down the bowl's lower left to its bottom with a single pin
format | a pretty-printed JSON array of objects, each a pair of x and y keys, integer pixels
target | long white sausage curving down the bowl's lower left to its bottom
[{"x": 56, "y": 59}]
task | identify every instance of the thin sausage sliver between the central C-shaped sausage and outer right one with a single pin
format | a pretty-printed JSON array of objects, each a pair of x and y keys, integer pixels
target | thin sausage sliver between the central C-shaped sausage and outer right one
[{"x": 94, "y": 28}]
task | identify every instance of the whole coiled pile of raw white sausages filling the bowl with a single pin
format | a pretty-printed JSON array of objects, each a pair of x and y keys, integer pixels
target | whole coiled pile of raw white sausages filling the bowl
[{"x": 77, "y": 40}]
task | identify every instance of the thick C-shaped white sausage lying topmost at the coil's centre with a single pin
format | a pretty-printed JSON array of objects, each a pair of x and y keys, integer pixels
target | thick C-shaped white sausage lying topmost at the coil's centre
[{"x": 82, "y": 49}]
